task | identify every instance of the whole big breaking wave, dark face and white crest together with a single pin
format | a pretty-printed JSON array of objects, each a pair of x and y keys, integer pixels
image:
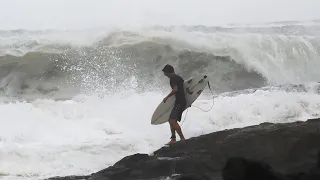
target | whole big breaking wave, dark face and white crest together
[{"x": 233, "y": 58}]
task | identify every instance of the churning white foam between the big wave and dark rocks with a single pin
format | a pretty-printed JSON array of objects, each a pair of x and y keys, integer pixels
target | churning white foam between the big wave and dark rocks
[{"x": 48, "y": 138}]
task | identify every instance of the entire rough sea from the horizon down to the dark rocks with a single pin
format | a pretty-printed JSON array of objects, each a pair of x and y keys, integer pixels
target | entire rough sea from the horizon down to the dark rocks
[{"x": 73, "y": 102}]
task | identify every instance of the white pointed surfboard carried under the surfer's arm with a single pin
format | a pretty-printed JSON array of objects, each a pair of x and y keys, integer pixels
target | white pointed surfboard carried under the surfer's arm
[{"x": 193, "y": 87}]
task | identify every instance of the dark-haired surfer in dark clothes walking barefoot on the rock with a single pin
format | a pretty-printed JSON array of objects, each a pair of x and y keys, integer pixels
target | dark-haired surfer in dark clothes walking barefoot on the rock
[{"x": 176, "y": 83}]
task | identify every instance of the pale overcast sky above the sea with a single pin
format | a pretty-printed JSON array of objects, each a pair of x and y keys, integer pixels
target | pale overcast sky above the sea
[{"x": 79, "y": 14}]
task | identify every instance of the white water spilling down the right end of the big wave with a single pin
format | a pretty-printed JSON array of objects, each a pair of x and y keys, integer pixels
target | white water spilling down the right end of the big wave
[{"x": 281, "y": 59}]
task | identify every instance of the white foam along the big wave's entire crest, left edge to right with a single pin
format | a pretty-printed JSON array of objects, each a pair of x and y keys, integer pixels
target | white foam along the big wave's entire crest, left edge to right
[{"x": 282, "y": 59}]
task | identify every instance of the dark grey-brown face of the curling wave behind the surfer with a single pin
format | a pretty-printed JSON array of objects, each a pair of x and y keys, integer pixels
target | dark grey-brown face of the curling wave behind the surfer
[{"x": 112, "y": 70}]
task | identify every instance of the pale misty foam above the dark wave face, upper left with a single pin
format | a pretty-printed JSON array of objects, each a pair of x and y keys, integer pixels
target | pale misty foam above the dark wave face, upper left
[{"x": 20, "y": 43}]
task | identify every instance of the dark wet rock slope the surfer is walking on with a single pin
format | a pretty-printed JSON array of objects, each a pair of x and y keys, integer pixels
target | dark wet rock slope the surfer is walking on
[{"x": 287, "y": 151}]
